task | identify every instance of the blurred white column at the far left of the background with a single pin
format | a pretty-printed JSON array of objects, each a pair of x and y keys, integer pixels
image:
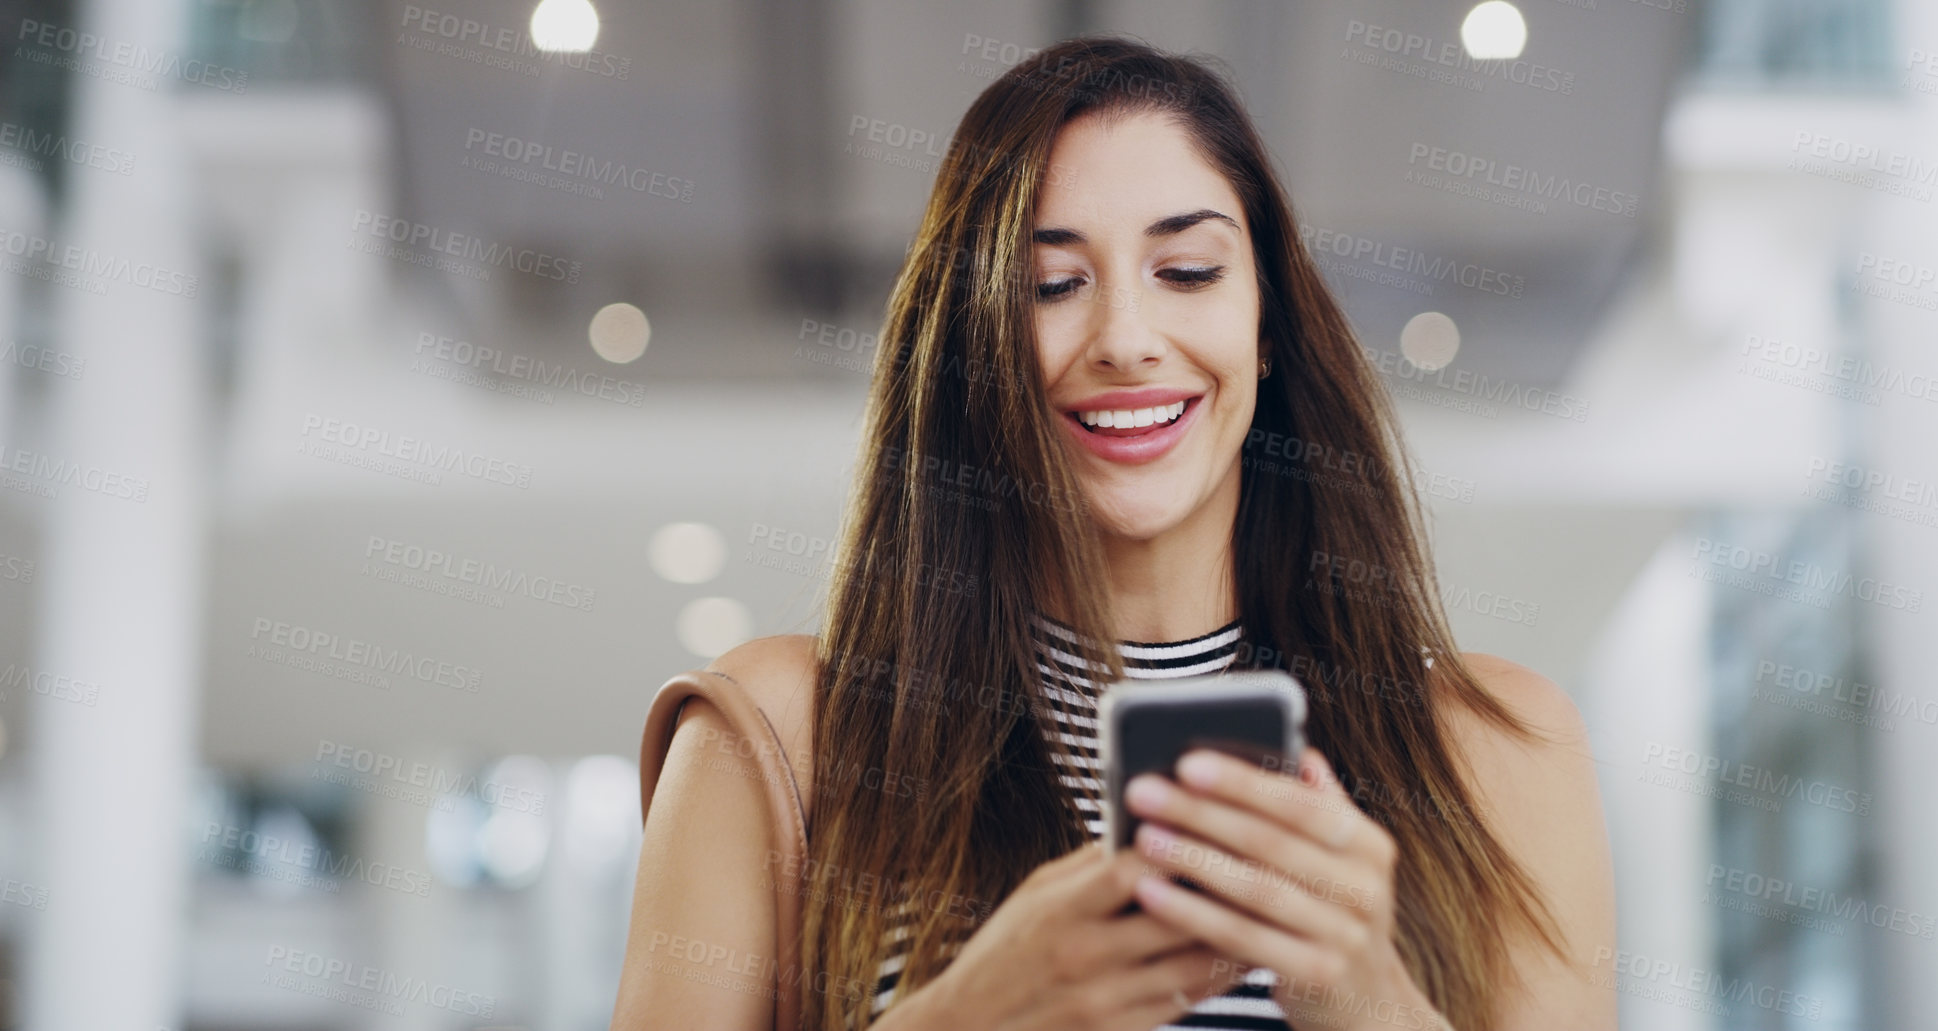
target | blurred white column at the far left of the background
[{"x": 123, "y": 580}]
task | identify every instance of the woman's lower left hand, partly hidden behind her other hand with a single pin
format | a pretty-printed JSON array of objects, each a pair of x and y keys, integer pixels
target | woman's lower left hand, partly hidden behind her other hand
[{"x": 1063, "y": 954}]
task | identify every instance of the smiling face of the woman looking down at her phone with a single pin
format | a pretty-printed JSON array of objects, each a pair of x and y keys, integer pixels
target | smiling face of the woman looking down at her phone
[{"x": 1146, "y": 319}]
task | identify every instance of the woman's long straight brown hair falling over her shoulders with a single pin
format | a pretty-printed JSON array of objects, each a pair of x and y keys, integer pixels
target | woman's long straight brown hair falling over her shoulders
[{"x": 933, "y": 782}]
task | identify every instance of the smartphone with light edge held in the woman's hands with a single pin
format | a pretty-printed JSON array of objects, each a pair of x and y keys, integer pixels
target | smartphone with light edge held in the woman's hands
[{"x": 1144, "y": 726}]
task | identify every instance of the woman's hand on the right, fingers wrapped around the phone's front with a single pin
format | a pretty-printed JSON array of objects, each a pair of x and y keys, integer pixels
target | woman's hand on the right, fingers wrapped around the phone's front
[{"x": 1299, "y": 881}]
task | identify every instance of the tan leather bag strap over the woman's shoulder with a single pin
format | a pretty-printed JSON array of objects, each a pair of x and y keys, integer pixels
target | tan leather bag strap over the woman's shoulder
[{"x": 784, "y": 805}]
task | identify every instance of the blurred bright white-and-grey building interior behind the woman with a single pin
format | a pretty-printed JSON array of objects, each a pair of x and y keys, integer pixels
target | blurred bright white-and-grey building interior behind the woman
[{"x": 392, "y": 396}]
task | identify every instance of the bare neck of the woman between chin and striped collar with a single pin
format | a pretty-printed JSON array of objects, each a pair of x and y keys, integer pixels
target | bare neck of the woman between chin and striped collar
[{"x": 1179, "y": 584}]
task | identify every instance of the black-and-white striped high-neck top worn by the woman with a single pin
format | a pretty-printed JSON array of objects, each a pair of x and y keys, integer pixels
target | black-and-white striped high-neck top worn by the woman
[{"x": 1073, "y": 703}]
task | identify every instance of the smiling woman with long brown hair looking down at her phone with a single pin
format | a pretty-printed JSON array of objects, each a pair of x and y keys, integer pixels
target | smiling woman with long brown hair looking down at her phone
[{"x": 1108, "y": 336}]
